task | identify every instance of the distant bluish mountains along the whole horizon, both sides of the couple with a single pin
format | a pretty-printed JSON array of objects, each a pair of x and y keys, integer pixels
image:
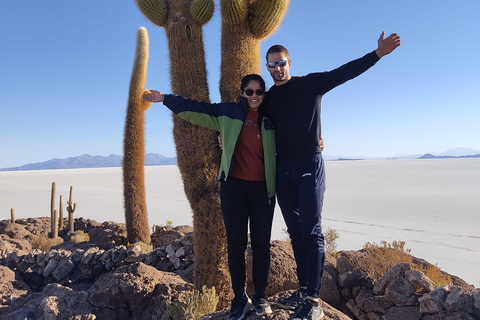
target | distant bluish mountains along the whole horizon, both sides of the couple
[{"x": 155, "y": 159}]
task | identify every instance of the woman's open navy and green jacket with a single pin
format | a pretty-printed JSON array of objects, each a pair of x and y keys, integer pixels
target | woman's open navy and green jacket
[{"x": 227, "y": 118}]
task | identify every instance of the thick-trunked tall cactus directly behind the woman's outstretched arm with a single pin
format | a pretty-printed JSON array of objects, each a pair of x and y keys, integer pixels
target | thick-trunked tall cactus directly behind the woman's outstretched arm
[{"x": 198, "y": 154}]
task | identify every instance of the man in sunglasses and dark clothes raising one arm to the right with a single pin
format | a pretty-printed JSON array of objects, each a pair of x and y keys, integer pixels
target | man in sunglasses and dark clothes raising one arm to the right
[{"x": 293, "y": 105}]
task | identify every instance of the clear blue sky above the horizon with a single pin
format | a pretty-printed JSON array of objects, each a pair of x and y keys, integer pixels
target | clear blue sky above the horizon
[{"x": 65, "y": 69}]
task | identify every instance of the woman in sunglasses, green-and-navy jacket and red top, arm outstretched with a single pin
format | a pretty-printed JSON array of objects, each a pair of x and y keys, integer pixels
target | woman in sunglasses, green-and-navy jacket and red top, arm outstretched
[{"x": 247, "y": 175}]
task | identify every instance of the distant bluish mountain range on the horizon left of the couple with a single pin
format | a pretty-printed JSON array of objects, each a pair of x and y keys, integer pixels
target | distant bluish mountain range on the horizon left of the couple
[{"x": 88, "y": 161}]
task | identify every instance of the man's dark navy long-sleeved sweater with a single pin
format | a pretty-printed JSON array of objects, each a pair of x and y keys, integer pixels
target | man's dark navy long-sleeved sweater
[{"x": 294, "y": 107}]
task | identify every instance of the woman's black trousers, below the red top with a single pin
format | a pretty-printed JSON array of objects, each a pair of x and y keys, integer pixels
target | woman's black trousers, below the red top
[{"x": 243, "y": 201}]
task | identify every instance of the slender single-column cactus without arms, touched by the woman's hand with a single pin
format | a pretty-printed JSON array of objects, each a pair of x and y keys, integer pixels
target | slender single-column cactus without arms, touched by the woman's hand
[{"x": 136, "y": 217}]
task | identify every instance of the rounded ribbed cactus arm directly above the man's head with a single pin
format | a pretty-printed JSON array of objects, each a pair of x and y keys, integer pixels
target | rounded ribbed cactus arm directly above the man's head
[{"x": 267, "y": 16}]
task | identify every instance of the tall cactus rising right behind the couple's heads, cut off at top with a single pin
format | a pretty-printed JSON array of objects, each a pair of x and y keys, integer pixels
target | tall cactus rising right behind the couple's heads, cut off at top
[{"x": 244, "y": 24}]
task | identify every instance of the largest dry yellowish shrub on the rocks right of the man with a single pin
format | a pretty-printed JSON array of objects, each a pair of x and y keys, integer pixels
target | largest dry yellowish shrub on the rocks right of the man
[{"x": 383, "y": 256}]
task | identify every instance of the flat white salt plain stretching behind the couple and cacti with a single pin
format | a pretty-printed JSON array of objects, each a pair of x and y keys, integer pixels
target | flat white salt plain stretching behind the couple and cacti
[{"x": 432, "y": 205}]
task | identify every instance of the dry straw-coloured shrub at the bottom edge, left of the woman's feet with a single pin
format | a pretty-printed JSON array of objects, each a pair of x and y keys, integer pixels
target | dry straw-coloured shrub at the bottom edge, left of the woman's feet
[{"x": 195, "y": 304}]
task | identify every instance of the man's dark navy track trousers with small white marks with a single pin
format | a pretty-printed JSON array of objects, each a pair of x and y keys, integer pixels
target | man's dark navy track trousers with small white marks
[{"x": 300, "y": 188}]
